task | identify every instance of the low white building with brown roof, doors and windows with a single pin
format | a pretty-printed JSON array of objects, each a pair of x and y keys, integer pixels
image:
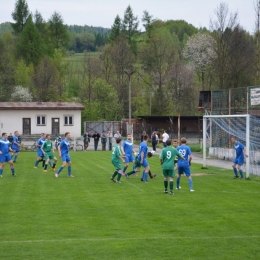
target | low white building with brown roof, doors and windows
[{"x": 29, "y": 118}]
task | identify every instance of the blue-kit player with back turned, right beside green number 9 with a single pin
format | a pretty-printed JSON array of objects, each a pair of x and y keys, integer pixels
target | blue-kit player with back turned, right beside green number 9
[{"x": 184, "y": 165}]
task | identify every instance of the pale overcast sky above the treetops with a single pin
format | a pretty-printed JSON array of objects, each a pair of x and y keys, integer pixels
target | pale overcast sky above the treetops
[{"x": 103, "y": 12}]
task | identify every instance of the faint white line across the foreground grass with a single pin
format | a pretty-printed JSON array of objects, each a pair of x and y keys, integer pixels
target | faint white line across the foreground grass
[{"x": 123, "y": 239}]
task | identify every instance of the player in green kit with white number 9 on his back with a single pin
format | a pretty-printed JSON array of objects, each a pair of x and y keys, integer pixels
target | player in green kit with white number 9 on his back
[{"x": 167, "y": 157}]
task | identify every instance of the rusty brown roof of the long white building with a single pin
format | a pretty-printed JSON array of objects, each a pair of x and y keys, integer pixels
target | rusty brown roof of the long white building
[{"x": 41, "y": 106}]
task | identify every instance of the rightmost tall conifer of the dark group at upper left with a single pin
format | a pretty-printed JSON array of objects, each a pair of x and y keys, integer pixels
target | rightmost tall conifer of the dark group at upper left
[{"x": 58, "y": 31}]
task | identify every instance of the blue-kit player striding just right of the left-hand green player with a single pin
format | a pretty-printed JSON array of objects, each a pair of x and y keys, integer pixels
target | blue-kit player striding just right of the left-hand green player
[{"x": 64, "y": 154}]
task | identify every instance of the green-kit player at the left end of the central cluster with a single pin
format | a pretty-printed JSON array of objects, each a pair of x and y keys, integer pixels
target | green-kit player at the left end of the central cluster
[{"x": 116, "y": 159}]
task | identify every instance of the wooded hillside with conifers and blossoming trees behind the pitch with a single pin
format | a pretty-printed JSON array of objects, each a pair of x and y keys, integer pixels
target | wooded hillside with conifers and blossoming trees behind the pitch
[{"x": 165, "y": 66}]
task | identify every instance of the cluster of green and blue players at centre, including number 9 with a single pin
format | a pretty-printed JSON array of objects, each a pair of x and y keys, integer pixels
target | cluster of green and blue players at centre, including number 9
[{"x": 123, "y": 151}]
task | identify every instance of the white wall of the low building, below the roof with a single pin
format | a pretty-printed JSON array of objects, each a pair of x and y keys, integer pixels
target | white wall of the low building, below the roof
[{"x": 12, "y": 120}]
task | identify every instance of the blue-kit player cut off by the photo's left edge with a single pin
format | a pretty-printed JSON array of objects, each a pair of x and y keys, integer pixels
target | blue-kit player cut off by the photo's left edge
[{"x": 4, "y": 154}]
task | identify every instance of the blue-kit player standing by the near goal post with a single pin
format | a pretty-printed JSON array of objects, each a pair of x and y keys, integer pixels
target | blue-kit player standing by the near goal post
[{"x": 240, "y": 156}]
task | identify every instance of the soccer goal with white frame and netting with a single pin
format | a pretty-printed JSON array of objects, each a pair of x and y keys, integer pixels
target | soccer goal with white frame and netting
[{"x": 217, "y": 146}]
